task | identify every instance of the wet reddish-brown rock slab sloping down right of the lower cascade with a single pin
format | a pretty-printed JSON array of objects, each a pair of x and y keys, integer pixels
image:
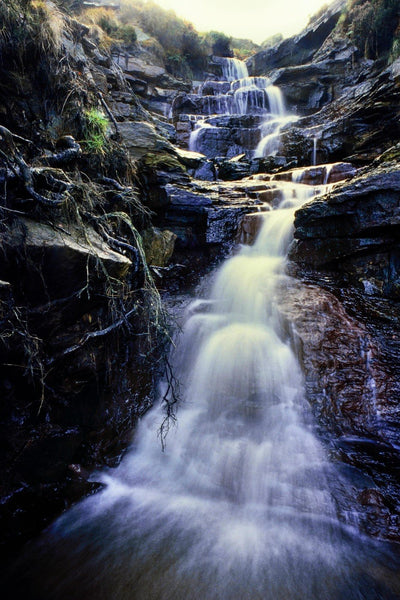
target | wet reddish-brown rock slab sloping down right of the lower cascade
[{"x": 355, "y": 395}]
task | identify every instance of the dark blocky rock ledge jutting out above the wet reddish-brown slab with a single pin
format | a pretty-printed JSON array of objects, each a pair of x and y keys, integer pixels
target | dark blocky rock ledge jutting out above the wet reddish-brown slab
[{"x": 355, "y": 227}]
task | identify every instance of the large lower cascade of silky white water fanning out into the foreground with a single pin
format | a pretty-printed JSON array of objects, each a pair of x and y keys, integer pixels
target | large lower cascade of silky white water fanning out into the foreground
[{"x": 240, "y": 504}]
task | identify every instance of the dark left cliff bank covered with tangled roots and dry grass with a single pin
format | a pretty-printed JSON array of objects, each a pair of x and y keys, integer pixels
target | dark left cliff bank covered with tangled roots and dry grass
[{"x": 82, "y": 330}]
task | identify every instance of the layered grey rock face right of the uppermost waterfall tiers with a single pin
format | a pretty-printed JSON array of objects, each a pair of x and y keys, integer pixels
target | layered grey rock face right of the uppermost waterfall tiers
[{"x": 358, "y": 125}]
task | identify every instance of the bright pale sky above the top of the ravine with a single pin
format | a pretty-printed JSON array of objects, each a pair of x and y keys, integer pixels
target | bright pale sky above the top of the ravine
[{"x": 253, "y": 19}]
